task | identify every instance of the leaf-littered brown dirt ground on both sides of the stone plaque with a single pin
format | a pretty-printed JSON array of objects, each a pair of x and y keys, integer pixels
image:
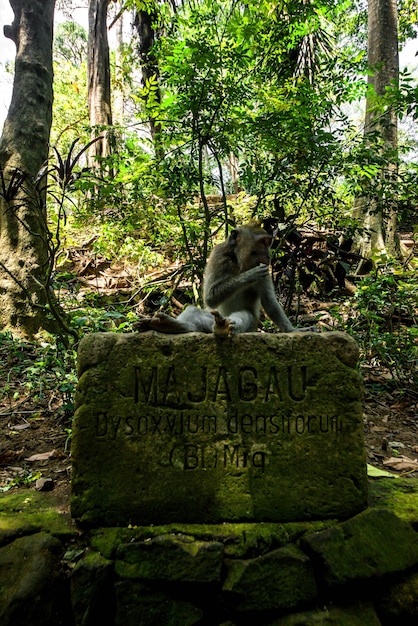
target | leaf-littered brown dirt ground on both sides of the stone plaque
[{"x": 35, "y": 437}]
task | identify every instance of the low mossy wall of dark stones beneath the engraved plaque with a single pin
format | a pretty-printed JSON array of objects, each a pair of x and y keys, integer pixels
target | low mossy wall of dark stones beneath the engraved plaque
[{"x": 360, "y": 572}]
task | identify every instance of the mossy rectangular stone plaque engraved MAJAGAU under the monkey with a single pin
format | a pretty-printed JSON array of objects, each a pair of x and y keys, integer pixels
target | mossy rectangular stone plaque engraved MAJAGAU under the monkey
[{"x": 190, "y": 428}]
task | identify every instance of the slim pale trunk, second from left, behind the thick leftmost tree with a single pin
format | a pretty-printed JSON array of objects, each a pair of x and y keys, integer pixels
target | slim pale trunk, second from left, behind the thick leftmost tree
[{"x": 100, "y": 110}]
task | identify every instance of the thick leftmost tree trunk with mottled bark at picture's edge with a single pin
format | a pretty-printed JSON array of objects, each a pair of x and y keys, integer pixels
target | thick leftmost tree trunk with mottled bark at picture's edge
[{"x": 24, "y": 149}]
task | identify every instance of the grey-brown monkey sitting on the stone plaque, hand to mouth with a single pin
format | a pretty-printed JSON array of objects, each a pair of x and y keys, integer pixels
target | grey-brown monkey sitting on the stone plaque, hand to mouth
[{"x": 236, "y": 284}]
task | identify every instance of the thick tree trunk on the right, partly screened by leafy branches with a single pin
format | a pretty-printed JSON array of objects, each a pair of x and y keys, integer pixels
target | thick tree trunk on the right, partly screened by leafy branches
[{"x": 378, "y": 211}]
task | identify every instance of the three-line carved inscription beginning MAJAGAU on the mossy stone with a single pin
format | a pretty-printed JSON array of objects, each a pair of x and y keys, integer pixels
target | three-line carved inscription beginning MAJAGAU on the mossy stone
[{"x": 173, "y": 406}]
